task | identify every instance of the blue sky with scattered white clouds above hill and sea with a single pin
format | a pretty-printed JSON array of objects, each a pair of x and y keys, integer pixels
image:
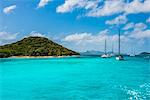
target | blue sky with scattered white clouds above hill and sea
[{"x": 79, "y": 25}]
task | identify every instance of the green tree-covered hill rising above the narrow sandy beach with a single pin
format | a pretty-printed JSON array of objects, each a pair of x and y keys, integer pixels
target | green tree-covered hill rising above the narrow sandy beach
[{"x": 34, "y": 46}]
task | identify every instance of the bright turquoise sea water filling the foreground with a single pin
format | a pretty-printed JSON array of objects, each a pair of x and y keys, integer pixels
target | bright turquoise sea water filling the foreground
[{"x": 73, "y": 78}]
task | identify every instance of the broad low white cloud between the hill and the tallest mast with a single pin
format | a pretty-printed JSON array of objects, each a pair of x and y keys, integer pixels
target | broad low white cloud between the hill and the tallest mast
[{"x": 88, "y": 41}]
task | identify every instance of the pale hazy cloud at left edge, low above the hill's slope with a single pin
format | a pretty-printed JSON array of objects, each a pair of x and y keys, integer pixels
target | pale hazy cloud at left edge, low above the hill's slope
[{"x": 6, "y": 37}]
